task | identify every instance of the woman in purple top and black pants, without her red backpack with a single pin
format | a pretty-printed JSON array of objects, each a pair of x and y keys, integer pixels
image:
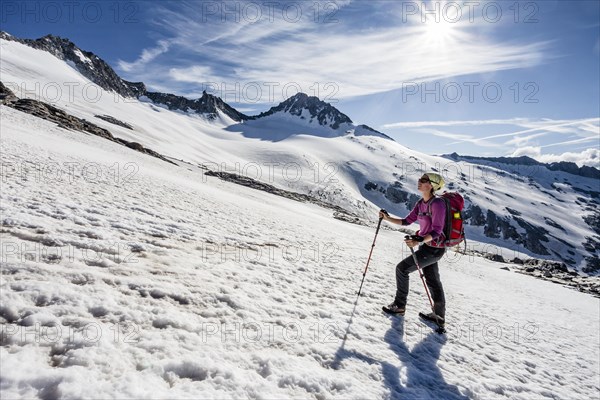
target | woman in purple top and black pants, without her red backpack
[{"x": 430, "y": 212}]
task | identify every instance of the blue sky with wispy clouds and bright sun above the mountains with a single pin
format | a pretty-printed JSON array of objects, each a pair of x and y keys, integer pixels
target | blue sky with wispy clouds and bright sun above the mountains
[{"x": 493, "y": 78}]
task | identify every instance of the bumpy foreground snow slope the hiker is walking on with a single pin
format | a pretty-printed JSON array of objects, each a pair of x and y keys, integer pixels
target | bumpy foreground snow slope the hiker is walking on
[{"x": 158, "y": 282}]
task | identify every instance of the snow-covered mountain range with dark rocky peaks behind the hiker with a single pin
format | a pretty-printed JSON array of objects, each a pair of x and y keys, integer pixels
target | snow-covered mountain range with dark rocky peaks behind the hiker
[{"x": 515, "y": 206}]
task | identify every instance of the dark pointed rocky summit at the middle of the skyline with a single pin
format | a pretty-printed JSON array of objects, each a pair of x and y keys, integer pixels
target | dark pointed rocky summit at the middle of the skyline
[{"x": 310, "y": 107}]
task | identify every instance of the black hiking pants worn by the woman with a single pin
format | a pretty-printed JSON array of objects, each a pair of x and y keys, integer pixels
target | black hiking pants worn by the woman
[{"x": 427, "y": 257}]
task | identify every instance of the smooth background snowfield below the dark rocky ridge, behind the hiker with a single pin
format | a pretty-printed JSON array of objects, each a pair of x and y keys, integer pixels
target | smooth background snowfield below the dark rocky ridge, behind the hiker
[{"x": 335, "y": 169}]
